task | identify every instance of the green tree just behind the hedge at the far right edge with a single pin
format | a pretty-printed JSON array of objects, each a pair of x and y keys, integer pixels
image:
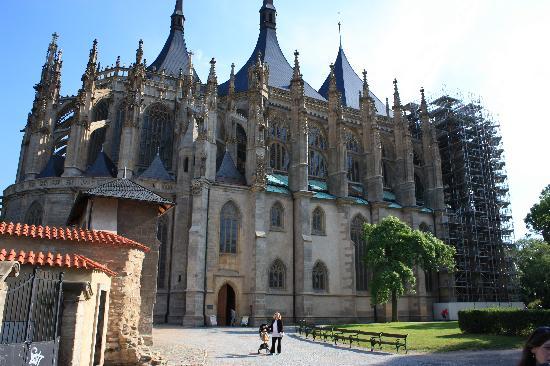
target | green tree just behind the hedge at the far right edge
[{"x": 533, "y": 260}]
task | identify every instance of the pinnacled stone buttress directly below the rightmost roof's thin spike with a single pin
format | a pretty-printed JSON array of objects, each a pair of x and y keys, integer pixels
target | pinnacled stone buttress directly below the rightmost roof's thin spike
[{"x": 337, "y": 177}]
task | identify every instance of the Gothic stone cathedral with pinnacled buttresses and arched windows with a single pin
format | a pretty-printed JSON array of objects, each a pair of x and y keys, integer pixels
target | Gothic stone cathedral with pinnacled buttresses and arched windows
[{"x": 322, "y": 160}]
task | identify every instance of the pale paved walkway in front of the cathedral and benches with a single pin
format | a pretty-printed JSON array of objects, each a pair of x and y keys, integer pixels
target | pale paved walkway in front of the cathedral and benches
[{"x": 238, "y": 346}]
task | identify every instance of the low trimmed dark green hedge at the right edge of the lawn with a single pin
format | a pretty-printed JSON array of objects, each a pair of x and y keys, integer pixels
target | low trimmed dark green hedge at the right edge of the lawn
[{"x": 502, "y": 321}]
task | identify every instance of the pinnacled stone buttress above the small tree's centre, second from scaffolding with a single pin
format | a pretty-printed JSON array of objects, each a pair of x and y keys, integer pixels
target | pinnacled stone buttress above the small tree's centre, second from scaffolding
[{"x": 404, "y": 154}]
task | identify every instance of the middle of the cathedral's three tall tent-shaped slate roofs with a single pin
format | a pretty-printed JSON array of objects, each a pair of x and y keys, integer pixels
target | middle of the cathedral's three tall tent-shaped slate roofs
[{"x": 280, "y": 71}]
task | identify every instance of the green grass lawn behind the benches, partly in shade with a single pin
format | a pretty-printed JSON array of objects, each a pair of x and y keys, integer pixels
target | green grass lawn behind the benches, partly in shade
[{"x": 440, "y": 337}]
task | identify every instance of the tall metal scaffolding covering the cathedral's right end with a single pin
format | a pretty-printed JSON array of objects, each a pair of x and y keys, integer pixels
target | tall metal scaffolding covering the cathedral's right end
[{"x": 477, "y": 198}]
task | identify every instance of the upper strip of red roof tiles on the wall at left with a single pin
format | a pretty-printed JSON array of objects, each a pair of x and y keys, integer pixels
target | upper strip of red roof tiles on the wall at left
[{"x": 68, "y": 234}]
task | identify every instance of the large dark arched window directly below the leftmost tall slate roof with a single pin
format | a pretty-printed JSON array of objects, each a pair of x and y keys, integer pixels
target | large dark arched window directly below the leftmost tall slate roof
[{"x": 156, "y": 136}]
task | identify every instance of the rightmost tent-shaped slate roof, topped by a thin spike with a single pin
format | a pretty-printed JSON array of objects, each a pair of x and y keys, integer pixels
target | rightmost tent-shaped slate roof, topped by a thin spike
[{"x": 349, "y": 84}]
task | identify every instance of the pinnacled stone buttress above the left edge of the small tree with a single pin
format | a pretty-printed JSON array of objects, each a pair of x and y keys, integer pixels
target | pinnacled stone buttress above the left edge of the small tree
[{"x": 372, "y": 165}]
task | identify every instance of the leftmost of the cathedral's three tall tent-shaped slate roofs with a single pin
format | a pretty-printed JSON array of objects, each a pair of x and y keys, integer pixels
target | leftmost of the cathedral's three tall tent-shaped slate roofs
[{"x": 174, "y": 55}]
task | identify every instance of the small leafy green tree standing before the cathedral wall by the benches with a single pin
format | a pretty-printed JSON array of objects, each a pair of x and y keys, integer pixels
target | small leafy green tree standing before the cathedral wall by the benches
[{"x": 393, "y": 250}]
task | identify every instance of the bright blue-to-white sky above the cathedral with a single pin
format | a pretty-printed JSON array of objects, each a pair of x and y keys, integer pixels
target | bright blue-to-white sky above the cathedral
[{"x": 494, "y": 49}]
